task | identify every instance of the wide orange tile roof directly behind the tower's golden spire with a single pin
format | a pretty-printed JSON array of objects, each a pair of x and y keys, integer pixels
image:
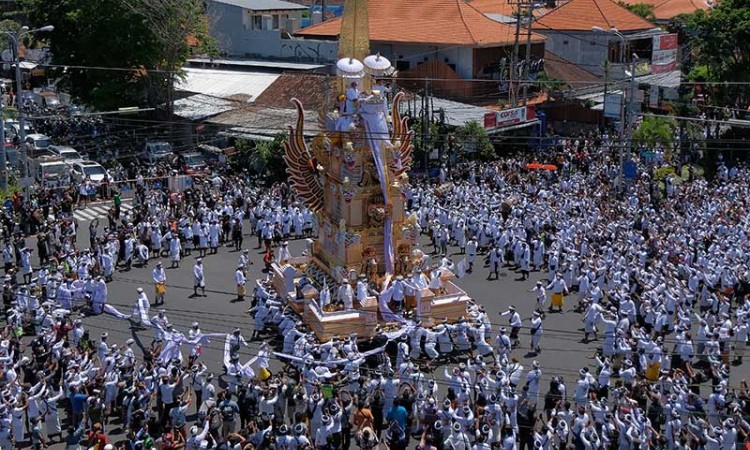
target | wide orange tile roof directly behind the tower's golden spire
[{"x": 441, "y": 22}]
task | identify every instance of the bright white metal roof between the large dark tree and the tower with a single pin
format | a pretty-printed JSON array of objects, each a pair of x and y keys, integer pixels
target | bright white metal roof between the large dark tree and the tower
[{"x": 226, "y": 83}]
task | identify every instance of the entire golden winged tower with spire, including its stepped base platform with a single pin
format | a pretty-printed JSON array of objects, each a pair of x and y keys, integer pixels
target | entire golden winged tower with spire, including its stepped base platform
[{"x": 352, "y": 177}]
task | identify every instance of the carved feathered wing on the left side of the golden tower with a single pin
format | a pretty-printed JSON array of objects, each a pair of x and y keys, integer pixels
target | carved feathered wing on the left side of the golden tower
[{"x": 302, "y": 165}]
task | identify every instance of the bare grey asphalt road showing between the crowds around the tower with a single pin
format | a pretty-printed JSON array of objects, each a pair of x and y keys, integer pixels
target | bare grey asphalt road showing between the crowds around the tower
[{"x": 563, "y": 353}]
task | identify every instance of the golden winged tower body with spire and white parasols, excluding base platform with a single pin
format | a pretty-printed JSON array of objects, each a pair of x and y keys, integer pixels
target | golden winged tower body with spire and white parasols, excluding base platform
[{"x": 354, "y": 173}]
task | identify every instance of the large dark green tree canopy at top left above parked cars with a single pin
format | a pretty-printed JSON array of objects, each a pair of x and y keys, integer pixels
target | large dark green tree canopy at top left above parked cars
[{"x": 121, "y": 53}]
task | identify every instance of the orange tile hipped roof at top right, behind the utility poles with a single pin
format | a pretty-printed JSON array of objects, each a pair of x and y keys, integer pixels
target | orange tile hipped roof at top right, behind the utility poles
[{"x": 581, "y": 15}]
